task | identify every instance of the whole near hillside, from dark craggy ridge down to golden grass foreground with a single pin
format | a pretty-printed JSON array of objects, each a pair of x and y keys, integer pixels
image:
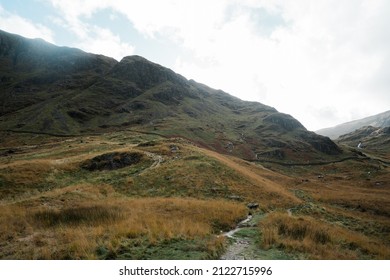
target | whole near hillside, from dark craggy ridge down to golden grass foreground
[{"x": 101, "y": 159}]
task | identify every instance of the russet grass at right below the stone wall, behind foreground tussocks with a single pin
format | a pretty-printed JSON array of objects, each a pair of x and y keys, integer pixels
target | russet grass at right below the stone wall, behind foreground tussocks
[{"x": 353, "y": 195}]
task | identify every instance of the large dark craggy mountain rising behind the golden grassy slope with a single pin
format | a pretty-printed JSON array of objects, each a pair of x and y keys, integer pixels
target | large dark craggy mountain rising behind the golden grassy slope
[{"x": 65, "y": 91}]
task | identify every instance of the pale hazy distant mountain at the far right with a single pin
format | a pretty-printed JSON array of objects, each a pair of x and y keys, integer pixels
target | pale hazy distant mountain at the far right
[{"x": 379, "y": 120}]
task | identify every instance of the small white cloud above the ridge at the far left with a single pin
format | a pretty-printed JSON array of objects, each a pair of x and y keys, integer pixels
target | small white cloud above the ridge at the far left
[{"x": 15, "y": 24}]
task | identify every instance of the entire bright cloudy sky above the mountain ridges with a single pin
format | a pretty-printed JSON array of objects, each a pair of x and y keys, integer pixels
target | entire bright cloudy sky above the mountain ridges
[{"x": 324, "y": 62}]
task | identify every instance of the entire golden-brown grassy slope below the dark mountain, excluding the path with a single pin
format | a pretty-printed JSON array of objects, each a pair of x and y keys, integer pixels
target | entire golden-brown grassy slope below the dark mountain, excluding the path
[{"x": 177, "y": 199}]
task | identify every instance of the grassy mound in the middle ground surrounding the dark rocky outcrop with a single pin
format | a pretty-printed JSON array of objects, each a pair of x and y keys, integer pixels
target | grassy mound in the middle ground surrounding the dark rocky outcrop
[{"x": 186, "y": 173}]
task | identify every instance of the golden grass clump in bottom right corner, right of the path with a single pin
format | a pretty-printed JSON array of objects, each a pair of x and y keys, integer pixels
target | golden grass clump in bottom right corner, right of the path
[{"x": 315, "y": 239}]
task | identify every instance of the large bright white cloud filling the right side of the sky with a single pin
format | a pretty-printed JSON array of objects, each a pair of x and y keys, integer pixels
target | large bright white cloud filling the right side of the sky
[{"x": 327, "y": 54}]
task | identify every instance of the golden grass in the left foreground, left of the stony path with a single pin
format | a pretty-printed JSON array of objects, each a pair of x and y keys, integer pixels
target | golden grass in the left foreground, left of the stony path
[{"x": 75, "y": 232}]
